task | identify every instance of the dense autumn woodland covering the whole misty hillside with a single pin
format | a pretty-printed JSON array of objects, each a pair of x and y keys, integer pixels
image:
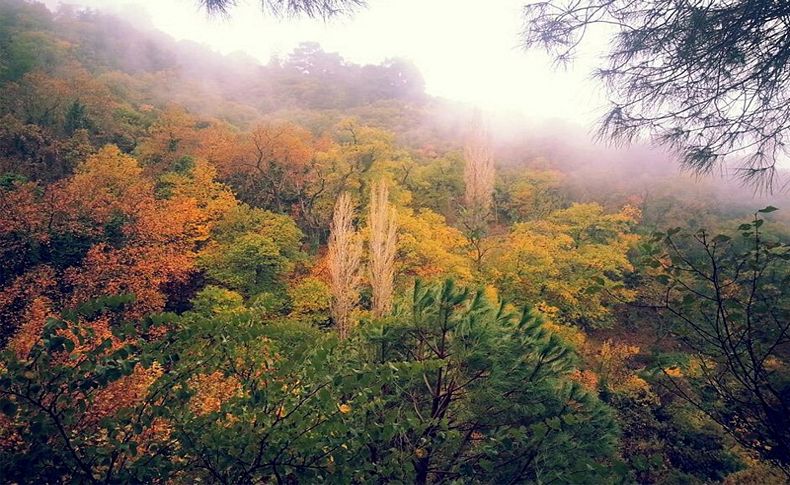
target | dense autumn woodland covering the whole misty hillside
[{"x": 213, "y": 270}]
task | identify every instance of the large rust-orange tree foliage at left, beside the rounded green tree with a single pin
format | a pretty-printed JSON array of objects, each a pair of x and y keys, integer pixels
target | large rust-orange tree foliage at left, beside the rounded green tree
[{"x": 139, "y": 241}]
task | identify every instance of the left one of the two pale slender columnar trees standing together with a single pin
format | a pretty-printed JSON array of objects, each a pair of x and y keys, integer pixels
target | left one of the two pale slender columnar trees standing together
[{"x": 345, "y": 255}]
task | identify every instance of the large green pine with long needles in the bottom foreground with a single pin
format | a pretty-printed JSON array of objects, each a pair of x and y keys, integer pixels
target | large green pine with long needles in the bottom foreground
[{"x": 479, "y": 394}]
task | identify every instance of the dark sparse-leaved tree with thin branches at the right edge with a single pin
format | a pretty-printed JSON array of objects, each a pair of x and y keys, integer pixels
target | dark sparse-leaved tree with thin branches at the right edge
[{"x": 729, "y": 302}]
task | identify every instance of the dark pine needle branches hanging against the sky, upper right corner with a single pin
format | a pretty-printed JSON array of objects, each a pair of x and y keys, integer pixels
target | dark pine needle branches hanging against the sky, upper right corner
[{"x": 709, "y": 79}]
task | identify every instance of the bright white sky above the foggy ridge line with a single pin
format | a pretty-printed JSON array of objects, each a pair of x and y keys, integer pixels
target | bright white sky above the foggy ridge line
[{"x": 467, "y": 50}]
